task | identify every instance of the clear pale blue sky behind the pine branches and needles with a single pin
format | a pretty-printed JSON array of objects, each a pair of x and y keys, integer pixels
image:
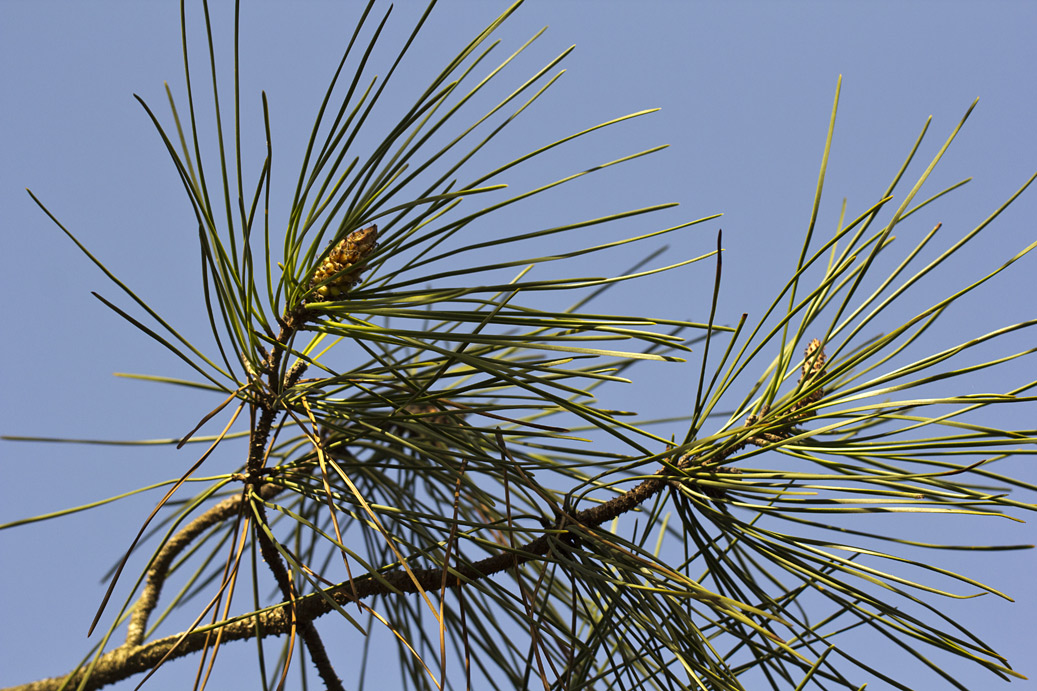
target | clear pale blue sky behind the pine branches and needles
[{"x": 746, "y": 93}]
